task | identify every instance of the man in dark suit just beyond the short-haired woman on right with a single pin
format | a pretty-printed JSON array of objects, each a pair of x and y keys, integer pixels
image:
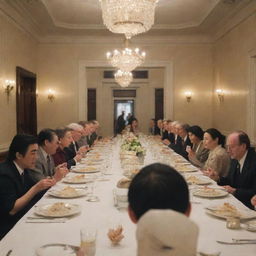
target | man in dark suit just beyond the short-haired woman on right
[{"x": 182, "y": 141}]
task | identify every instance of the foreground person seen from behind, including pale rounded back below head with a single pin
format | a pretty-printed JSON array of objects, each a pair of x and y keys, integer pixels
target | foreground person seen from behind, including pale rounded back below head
[{"x": 160, "y": 187}]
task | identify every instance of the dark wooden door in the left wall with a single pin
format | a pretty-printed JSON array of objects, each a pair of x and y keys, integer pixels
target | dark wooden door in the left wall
[{"x": 26, "y": 102}]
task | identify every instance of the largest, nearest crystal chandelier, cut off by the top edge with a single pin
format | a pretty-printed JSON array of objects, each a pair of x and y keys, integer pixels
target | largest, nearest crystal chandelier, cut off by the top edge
[{"x": 129, "y": 17}]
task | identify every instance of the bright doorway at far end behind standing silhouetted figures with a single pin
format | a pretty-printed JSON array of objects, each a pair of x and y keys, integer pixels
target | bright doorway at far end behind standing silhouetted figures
[{"x": 126, "y": 105}]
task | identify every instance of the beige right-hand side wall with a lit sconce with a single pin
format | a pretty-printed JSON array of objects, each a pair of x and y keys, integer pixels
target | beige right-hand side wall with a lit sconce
[{"x": 231, "y": 62}]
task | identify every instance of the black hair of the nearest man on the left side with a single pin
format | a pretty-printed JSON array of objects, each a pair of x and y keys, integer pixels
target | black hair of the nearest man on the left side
[{"x": 20, "y": 144}]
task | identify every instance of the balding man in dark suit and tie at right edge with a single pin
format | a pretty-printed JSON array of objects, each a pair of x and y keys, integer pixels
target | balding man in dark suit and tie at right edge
[{"x": 241, "y": 178}]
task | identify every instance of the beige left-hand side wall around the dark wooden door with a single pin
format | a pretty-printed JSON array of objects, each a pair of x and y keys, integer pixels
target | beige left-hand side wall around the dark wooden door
[{"x": 16, "y": 49}]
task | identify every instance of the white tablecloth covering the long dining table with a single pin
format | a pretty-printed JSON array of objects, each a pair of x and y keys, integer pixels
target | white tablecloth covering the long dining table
[{"x": 26, "y": 236}]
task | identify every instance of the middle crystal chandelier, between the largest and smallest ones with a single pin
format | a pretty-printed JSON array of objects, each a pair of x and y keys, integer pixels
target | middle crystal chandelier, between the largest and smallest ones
[{"x": 127, "y": 59}]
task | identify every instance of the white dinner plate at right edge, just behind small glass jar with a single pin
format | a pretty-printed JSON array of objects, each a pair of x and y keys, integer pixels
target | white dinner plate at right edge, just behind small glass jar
[{"x": 243, "y": 213}]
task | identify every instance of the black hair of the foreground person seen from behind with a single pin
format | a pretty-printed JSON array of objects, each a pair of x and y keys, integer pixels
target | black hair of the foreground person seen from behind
[{"x": 158, "y": 186}]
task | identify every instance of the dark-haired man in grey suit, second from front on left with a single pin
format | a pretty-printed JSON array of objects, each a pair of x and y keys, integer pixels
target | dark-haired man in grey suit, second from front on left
[{"x": 48, "y": 143}]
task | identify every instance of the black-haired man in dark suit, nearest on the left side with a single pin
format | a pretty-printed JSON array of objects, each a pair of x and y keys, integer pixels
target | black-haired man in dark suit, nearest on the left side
[{"x": 18, "y": 192}]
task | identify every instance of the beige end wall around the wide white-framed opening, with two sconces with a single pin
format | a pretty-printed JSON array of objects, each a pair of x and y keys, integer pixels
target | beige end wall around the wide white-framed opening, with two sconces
[{"x": 58, "y": 69}]
